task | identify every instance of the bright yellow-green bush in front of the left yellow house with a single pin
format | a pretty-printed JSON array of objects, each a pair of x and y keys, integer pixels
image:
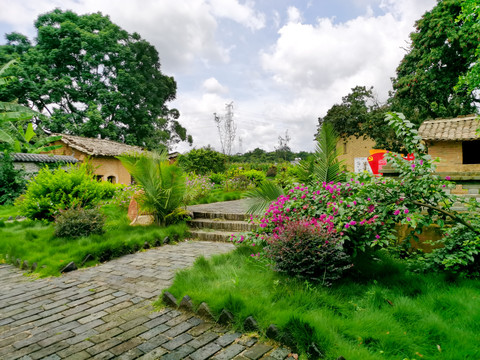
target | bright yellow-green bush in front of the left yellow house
[{"x": 53, "y": 190}]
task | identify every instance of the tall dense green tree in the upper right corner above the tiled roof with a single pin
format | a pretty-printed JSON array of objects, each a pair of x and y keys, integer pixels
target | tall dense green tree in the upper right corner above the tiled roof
[{"x": 442, "y": 49}]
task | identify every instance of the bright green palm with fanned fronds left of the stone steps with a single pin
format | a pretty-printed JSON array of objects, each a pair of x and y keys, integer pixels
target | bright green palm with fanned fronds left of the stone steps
[{"x": 163, "y": 184}]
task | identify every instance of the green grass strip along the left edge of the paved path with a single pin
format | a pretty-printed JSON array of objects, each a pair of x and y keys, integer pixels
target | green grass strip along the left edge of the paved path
[{"x": 34, "y": 241}]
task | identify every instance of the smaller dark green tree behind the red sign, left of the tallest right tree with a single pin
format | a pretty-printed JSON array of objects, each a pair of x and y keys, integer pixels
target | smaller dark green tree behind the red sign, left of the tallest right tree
[{"x": 361, "y": 115}]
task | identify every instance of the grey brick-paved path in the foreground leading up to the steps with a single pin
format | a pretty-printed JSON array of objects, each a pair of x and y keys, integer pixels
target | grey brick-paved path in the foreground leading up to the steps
[{"x": 105, "y": 312}]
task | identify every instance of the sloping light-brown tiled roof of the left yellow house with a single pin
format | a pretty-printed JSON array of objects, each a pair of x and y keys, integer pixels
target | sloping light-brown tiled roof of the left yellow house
[{"x": 98, "y": 147}]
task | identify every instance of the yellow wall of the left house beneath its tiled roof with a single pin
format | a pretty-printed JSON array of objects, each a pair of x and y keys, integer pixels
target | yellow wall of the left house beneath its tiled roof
[{"x": 104, "y": 166}]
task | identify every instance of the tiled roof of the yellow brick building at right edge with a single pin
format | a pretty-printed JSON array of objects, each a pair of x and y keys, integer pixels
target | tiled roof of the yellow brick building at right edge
[{"x": 461, "y": 128}]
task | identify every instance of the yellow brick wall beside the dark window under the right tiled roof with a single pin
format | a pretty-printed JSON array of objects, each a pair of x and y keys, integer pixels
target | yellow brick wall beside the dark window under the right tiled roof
[{"x": 451, "y": 157}]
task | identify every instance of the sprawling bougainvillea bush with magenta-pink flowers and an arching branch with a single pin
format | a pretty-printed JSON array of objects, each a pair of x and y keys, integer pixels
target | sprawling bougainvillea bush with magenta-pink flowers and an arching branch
[{"x": 364, "y": 210}]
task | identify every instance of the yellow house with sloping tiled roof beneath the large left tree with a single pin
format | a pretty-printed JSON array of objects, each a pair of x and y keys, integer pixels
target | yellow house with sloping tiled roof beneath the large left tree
[{"x": 101, "y": 154}]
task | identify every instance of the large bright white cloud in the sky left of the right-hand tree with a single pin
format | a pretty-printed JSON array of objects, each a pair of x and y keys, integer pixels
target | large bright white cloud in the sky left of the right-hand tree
[{"x": 316, "y": 64}]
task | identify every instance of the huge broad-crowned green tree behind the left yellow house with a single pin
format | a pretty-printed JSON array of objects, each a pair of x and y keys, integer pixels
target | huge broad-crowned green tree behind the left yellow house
[{"x": 92, "y": 78}]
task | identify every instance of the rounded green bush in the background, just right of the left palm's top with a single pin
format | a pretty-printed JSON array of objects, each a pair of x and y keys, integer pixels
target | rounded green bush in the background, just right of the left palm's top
[{"x": 203, "y": 161}]
